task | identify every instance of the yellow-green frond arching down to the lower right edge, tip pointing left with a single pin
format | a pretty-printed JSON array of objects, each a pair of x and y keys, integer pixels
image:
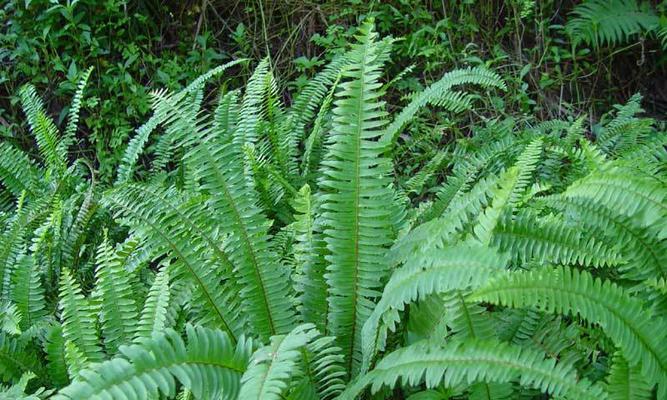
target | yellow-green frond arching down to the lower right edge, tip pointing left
[{"x": 565, "y": 290}]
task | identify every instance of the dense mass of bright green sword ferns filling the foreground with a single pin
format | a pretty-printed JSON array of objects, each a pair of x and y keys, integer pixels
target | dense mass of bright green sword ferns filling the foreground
[{"x": 258, "y": 249}]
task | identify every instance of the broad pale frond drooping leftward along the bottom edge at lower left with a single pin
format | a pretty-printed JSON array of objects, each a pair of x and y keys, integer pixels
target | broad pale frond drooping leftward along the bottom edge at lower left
[{"x": 209, "y": 365}]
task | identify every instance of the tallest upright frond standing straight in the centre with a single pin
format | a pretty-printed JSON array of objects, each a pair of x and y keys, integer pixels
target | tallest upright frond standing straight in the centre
[{"x": 355, "y": 185}]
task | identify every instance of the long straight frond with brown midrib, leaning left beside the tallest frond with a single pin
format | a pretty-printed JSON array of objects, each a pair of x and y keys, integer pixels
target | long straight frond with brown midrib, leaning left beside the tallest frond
[{"x": 265, "y": 292}]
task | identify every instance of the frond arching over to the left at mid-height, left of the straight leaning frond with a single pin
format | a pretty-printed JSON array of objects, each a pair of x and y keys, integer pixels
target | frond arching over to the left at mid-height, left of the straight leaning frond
[{"x": 181, "y": 227}]
